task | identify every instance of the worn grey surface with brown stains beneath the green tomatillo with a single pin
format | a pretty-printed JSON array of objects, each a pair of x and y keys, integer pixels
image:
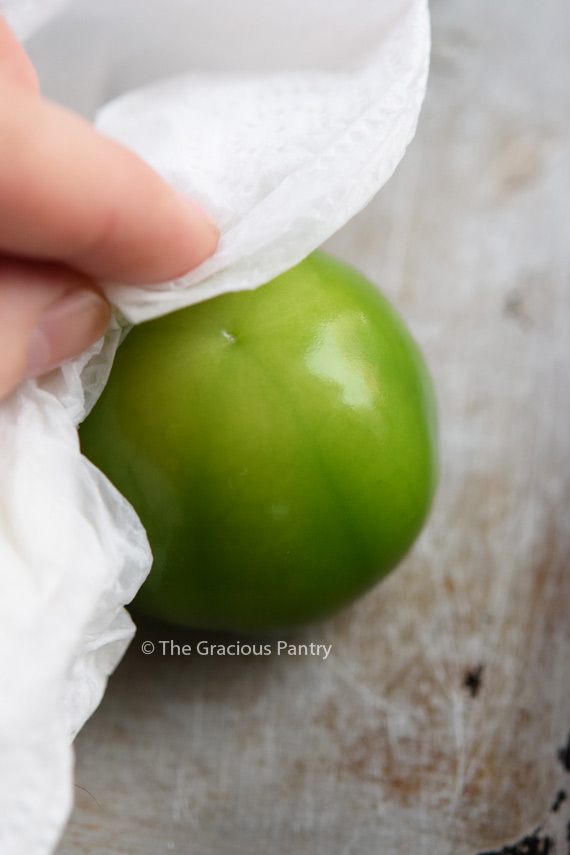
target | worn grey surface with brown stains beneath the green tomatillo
[{"x": 389, "y": 745}]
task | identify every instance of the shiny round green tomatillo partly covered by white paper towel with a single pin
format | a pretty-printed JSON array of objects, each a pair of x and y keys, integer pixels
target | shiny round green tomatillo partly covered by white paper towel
[{"x": 279, "y": 446}]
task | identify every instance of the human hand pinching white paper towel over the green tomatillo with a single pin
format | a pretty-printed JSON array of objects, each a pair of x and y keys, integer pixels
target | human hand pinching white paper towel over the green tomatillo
[{"x": 75, "y": 208}]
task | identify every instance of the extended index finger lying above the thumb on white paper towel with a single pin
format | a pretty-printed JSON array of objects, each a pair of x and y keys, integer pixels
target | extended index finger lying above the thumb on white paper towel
[{"x": 68, "y": 193}]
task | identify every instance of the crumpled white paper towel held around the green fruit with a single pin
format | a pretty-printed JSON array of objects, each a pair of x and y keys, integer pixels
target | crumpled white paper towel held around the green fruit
[{"x": 283, "y": 131}]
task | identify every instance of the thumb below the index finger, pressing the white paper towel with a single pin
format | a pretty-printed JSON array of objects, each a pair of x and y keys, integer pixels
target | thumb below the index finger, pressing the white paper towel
[{"x": 48, "y": 313}]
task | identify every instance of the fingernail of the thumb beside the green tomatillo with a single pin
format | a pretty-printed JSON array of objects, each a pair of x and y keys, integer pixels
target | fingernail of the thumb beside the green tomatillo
[{"x": 65, "y": 329}]
